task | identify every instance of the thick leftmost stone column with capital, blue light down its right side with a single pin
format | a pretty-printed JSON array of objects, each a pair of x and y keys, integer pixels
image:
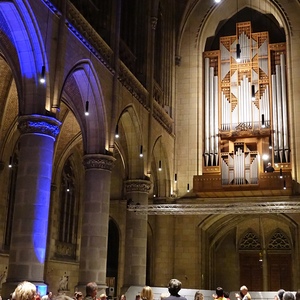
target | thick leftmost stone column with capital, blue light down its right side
[{"x": 32, "y": 199}]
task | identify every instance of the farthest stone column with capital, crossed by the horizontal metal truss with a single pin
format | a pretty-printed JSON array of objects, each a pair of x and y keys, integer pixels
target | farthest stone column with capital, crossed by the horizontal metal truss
[{"x": 136, "y": 234}]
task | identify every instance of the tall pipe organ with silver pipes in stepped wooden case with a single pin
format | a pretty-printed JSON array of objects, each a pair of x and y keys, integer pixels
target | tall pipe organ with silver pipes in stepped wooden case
[{"x": 245, "y": 106}]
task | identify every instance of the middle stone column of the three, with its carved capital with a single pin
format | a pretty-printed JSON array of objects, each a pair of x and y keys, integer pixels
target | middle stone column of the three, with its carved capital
[{"x": 95, "y": 219}]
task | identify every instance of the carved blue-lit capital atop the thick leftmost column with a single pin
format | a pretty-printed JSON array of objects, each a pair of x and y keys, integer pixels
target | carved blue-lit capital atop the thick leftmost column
[{"x": 39, "y": 124}]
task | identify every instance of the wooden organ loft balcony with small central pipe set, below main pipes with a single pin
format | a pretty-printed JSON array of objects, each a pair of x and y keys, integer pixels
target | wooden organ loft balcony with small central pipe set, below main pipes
[{"x": 238, "y": 169}]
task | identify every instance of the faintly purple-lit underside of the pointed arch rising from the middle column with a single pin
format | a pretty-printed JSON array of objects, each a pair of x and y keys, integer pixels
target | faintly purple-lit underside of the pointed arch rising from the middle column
[{"x": 82, "y": 92}]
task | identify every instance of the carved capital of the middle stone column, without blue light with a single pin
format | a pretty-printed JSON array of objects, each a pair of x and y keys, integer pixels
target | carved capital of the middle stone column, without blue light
[{"x": 98, "y": 161}]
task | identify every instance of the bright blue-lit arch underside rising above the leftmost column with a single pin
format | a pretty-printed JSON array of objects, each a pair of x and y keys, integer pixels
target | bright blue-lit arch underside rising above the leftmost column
[{"x": 18, "y": 24}]
